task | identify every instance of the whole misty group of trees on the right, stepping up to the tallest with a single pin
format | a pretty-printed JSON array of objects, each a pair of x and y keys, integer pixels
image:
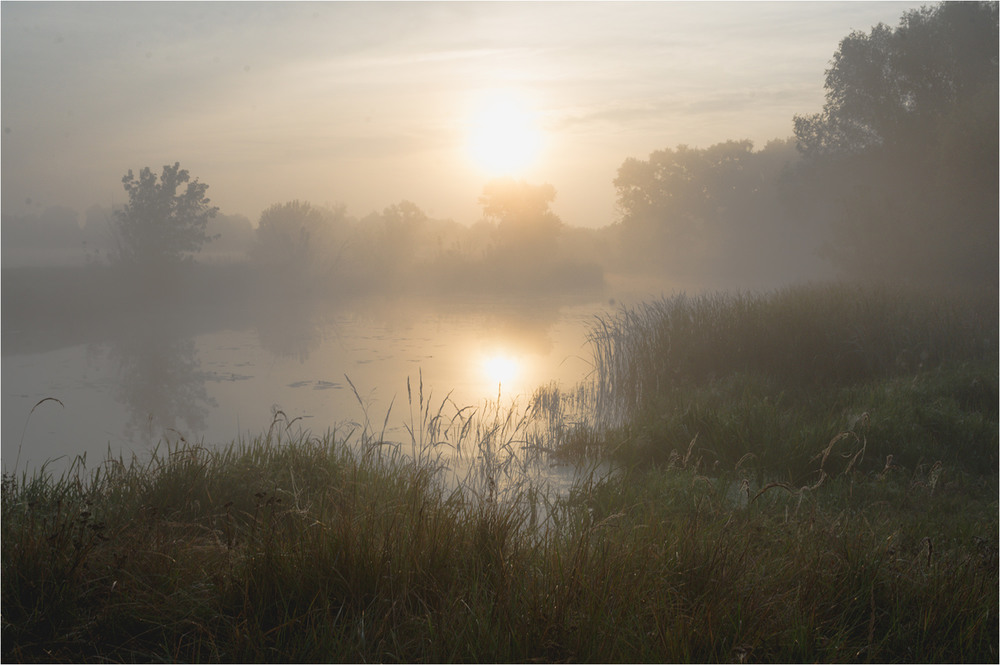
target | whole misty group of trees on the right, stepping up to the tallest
[{"x": 895, "y": 179}]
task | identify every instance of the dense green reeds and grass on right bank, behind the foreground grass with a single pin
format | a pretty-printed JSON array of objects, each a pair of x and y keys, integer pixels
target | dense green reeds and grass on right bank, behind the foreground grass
[{"x": 779, "y": 375}]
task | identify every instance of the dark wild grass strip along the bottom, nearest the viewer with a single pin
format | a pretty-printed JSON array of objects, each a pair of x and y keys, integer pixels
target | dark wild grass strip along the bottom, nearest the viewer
[{"x": 310, "y": 550}]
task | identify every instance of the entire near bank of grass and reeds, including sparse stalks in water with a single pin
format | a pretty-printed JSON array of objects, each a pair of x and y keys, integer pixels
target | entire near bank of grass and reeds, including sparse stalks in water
[{"x": 806, "y": 475}]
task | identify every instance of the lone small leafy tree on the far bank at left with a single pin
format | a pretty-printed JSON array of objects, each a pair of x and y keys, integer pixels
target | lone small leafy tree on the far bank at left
[{"x": 163, "y": 223}]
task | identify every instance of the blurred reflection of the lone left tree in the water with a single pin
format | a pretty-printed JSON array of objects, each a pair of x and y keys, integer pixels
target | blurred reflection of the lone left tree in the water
[{"x": 160, "y": 382}]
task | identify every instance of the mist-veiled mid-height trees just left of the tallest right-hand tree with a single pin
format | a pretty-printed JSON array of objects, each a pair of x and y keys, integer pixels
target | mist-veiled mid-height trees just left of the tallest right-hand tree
[{"x": 700, "y": 213}]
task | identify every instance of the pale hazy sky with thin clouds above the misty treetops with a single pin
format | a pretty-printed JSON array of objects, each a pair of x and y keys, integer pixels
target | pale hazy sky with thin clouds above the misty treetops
[{"x": 367, "y": 104}]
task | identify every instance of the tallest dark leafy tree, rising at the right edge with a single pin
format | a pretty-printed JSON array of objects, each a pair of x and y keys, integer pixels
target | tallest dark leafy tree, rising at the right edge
[{"x": 902, "y": 160}]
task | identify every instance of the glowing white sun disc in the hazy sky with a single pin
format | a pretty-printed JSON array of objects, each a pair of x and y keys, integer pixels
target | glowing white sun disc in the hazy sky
[{"x": 504, "y": 138}]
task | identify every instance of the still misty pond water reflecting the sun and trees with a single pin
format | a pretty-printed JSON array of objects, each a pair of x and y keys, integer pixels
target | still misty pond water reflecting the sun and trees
[{"x": 152, "y": 379}]
